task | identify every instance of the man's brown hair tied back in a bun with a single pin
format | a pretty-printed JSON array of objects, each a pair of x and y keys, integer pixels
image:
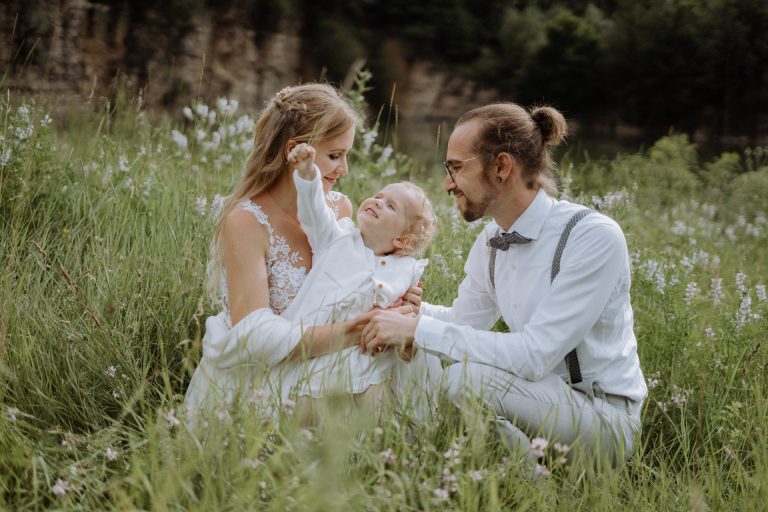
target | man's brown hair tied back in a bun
[{"x": 524, "y": 134}]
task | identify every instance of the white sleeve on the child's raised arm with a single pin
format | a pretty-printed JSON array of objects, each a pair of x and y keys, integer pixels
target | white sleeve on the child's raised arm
[{"x": 317, "y": 219}]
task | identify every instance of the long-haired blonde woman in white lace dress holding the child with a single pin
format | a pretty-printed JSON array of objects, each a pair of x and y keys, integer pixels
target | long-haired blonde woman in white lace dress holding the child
[{"x": 260, "y": 257}]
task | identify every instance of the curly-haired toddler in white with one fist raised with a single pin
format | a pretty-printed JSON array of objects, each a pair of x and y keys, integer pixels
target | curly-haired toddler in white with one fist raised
[{"x": 355, "y": 269}]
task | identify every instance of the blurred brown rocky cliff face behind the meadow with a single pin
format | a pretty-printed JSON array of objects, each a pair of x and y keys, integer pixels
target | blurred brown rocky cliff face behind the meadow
[{"x": 72, "y": 50}]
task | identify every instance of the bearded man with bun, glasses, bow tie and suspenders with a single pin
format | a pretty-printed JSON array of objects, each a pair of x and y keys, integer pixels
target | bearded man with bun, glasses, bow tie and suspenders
[{"x": 556, "y": 272}]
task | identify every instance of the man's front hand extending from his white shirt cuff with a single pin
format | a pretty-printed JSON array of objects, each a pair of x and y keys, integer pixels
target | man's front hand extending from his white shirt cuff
[{"x": 389, "y": 328}]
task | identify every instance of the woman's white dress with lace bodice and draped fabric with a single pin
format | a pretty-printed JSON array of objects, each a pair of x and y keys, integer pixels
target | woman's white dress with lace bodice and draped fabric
[{"x": 248, "y": 362}]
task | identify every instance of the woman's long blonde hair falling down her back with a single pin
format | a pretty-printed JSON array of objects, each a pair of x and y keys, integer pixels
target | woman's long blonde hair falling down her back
[{"x": 303, "y": 113}]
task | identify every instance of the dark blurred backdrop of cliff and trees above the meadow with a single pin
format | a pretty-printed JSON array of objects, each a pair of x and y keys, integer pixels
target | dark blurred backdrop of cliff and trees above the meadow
[{"x": 624, "y": 72}]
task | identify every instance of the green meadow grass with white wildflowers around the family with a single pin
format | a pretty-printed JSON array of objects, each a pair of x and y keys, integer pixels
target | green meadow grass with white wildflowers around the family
[{"x": 105, "y": 221}]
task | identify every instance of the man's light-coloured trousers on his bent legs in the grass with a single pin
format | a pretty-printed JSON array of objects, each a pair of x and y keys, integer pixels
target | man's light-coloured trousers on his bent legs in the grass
[{"x": 592, "y": 423}]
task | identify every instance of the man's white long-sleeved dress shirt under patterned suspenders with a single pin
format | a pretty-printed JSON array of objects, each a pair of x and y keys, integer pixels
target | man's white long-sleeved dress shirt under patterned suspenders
[{"x": 586, "y": 307}]
